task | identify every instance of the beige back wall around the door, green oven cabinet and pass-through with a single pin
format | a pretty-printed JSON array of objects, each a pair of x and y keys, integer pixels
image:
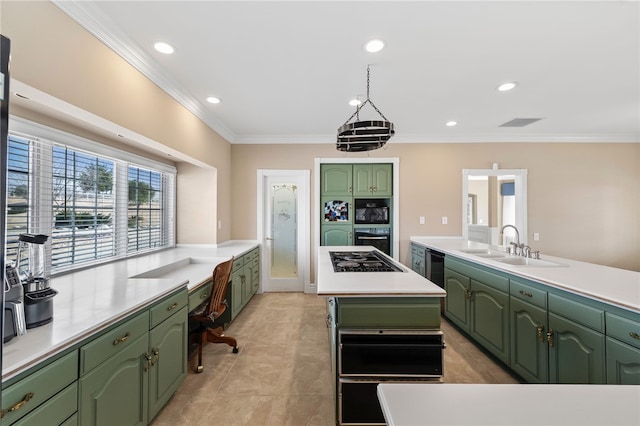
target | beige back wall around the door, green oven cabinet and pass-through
[{"x": 584, "y": 198}]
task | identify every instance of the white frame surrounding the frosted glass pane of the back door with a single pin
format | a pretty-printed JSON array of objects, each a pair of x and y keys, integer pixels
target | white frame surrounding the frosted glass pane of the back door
[{"x": 303, "y": 223}]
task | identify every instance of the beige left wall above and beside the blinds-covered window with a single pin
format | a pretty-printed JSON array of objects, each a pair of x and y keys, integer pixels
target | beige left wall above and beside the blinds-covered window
[{"x": 53, "y": 54}]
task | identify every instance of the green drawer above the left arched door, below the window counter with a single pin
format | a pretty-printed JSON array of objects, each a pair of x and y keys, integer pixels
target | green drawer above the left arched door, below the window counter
[{"x": 112, "y": 342}]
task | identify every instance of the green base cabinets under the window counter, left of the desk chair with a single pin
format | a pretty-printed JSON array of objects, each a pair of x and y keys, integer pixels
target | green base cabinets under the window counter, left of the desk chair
[{"x": 122, "y": 375}]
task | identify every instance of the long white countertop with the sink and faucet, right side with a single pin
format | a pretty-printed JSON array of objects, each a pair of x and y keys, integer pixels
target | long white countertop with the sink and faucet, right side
[{"x": 619, "y": 287}]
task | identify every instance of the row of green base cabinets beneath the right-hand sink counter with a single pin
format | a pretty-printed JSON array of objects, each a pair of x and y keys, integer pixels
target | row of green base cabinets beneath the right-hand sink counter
[{"x": 548, "y": 335}]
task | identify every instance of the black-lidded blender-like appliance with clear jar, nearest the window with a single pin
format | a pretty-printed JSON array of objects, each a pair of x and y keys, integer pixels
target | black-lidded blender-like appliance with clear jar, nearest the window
[{"x": 32, "y": 267}]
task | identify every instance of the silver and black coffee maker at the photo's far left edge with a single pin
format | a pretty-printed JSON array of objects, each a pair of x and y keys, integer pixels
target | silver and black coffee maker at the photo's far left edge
[{"x": 14, "y": 321}]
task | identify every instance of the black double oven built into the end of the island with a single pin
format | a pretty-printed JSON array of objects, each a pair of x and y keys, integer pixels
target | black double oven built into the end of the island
[{"x": 369, "y": 357}]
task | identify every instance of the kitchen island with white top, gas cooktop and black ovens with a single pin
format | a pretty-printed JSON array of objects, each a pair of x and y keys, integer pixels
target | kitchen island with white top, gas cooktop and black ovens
[{"x": 381, "y": 325}]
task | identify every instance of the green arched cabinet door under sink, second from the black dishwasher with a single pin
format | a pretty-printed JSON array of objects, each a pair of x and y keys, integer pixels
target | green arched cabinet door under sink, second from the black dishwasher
[{"x": 490, "y": 319}]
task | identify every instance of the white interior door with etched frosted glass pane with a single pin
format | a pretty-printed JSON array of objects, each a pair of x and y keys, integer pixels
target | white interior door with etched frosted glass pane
[{"x": 283, "y": 229}]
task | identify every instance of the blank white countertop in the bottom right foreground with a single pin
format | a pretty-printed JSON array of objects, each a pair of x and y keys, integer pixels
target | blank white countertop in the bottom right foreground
[{"x": 415, "y": 404}]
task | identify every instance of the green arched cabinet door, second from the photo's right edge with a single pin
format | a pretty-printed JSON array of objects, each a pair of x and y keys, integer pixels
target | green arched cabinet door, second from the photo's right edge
[{"x": 576, "y": 353}]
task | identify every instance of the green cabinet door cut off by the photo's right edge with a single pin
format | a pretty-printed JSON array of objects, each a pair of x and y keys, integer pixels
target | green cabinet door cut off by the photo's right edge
[{"x": 623, "y": 363}]
